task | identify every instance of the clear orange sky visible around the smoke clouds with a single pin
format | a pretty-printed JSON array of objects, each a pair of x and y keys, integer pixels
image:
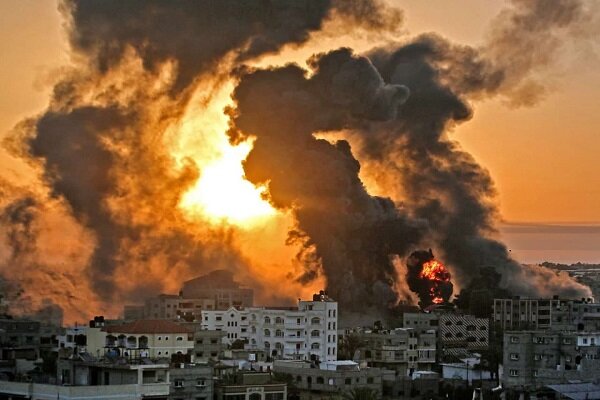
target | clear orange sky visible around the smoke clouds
[{"x": 543, "y": 159}]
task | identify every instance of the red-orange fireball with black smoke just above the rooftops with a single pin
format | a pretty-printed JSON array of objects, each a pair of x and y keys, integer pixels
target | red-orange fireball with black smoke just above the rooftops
[{"x": 428, "y": 278}]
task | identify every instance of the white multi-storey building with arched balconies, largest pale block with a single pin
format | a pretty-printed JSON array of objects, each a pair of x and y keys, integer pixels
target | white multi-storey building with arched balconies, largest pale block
[{"x": 306, "y": 332}]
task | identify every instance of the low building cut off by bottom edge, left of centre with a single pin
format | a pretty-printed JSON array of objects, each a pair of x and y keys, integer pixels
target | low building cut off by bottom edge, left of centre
[{"x": 250, "y": 386}]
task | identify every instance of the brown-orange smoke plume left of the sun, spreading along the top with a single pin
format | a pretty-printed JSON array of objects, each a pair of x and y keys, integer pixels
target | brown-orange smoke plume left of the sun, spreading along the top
[{"x": 104, "y": 143}]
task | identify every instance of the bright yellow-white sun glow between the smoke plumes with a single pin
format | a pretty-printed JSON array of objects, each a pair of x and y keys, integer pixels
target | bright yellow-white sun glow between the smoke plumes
[{"x": 221, "y": 194}]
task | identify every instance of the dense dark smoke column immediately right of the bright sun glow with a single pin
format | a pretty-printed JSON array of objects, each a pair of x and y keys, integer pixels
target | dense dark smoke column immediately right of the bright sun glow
[{"x": 350, "y": 232}]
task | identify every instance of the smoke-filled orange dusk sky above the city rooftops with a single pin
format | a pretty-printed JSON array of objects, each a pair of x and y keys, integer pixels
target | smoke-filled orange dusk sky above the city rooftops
[{"x": 161, "y": 142}]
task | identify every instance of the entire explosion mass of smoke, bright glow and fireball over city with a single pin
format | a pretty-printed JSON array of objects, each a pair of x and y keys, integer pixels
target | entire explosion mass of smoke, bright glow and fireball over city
[{"x": 161, "y": 150}]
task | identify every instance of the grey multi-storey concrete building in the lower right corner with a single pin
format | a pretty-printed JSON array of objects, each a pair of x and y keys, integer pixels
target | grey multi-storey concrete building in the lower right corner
[{"x": 532, "y": 359}]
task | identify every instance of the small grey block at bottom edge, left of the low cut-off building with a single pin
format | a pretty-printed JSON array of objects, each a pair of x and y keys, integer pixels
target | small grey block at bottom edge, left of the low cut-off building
[{"x": 191, "y": 382}]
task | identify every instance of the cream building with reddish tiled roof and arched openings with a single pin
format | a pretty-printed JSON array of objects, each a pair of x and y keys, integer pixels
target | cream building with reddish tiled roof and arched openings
[{"x": 141, "y": 339}]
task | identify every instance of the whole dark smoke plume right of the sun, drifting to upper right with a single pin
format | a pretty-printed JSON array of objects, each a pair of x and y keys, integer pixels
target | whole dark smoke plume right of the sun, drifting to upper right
[{"x": 447, "y": 198}]
